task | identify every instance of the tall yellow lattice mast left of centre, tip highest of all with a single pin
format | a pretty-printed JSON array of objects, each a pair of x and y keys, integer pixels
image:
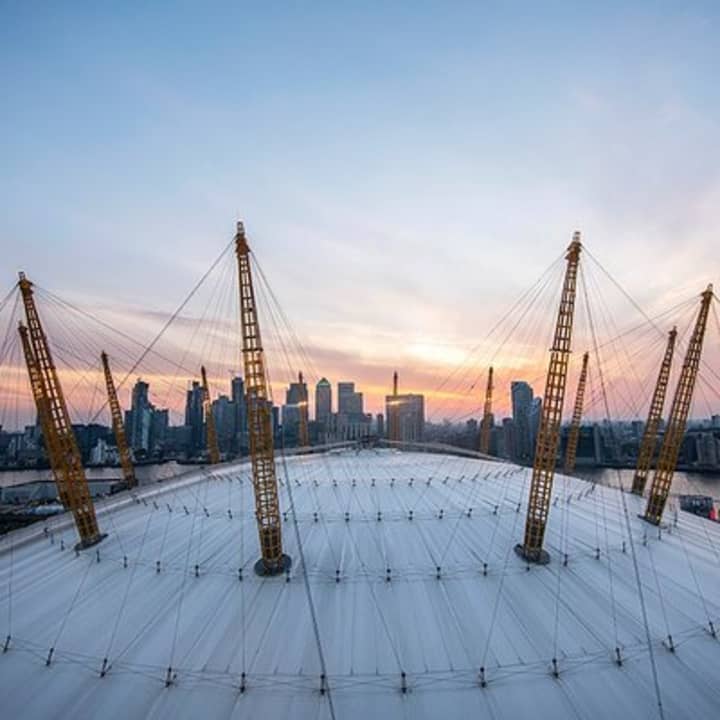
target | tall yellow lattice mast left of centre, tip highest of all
[{"x": 262, "y": 452}]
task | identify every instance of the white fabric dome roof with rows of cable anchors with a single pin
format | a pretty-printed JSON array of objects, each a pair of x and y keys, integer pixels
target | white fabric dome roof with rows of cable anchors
[{"x": 512, "y": 621}]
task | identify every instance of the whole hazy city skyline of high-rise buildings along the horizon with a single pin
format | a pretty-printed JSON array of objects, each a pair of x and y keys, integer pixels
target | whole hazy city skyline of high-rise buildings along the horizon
[{"x": 337, "y": 414}]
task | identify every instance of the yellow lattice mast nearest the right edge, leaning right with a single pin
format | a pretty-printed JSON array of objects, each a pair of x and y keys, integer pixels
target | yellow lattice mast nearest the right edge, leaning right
[{"x": 675, "y": 432}]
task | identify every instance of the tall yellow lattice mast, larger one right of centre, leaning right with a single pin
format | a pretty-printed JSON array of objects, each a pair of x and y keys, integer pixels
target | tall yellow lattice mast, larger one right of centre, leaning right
[{"x": 551, "y": 416}]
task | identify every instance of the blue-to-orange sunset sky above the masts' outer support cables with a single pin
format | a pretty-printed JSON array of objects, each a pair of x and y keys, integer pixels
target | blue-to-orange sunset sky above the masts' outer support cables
[{"x": 405, "y": 170}]
